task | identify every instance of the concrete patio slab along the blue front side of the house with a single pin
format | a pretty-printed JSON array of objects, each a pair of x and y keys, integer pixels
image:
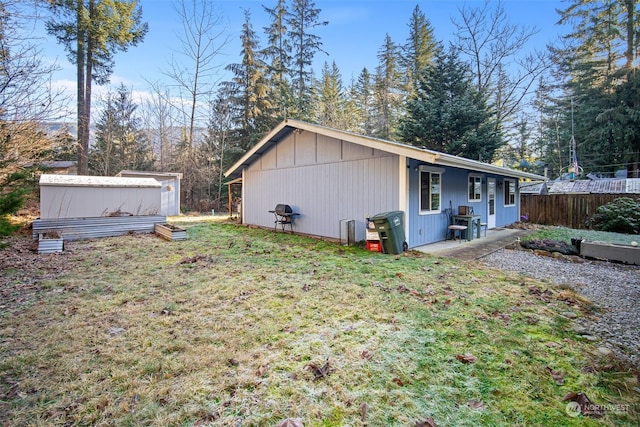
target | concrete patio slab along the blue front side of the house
[{"x": 496, "y": 238}]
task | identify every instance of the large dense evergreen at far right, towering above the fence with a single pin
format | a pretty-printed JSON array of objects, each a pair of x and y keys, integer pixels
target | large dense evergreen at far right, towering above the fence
[{"x": 599, "y": 62}]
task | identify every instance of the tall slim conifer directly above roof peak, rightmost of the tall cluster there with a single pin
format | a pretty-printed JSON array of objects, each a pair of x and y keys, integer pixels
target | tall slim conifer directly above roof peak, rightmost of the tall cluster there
[{"x": 302, "y": 18}]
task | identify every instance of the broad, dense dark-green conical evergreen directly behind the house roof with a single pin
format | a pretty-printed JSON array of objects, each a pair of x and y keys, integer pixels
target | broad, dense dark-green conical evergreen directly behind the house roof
[{"x": 449, "y": 114}]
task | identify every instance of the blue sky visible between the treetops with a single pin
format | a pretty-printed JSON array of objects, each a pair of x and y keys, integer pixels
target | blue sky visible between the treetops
[{"x": 355, "y": 33}]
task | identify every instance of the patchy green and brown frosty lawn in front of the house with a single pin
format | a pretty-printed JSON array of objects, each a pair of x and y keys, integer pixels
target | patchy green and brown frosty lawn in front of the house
[{"x": 245, "y": 327}]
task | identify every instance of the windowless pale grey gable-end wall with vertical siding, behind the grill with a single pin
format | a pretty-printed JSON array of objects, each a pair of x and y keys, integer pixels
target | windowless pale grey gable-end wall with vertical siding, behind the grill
[{"x": 325, "y": 180}]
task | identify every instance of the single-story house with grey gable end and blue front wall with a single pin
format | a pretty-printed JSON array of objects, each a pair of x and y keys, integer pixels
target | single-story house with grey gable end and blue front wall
[{"x": 328, "y": 176}]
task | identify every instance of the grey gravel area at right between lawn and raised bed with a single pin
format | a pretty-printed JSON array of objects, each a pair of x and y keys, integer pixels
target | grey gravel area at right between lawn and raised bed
[{"x": 613, "y": 287}]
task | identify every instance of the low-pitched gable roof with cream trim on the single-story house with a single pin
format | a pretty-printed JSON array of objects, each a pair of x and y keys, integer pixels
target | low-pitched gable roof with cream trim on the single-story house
[{"x": 421, "y": 154}]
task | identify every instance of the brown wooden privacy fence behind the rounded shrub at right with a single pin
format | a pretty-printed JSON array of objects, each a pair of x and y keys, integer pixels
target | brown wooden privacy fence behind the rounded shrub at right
[{"x": 568, "y": 210}]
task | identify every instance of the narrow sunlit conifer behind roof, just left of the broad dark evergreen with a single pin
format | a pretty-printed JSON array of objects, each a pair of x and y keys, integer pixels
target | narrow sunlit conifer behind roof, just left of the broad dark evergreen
[{"x": 388, "y": 92}]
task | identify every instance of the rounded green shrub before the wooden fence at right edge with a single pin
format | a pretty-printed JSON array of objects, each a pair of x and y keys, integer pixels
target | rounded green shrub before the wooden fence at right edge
[{"x": 622, "y": 215}]
